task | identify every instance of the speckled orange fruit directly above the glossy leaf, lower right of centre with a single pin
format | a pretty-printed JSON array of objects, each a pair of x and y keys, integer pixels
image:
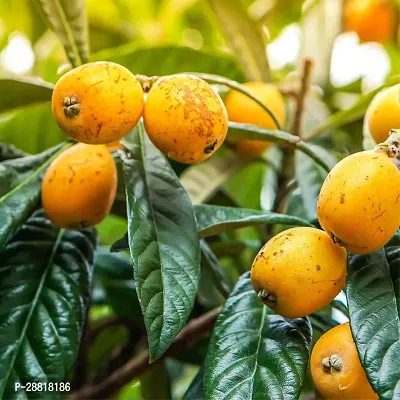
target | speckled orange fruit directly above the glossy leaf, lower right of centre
[{"x": 302, "y": 268}]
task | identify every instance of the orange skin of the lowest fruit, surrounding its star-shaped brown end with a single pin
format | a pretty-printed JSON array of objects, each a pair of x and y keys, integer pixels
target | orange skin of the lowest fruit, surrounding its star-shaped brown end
[{"x": 349, "y": 383}]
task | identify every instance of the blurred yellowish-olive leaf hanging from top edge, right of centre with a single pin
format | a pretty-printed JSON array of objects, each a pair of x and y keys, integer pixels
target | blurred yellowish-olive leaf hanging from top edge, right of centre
[{"x": 245, "y": 38}]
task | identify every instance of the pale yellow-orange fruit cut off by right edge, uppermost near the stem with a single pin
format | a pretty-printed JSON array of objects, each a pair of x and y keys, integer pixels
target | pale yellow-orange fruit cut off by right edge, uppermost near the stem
[{"x": 383, "y": 113}]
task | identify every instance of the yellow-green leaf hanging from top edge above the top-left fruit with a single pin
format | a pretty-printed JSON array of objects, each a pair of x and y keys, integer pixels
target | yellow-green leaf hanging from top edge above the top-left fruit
[{"x": 67, "y": 18}]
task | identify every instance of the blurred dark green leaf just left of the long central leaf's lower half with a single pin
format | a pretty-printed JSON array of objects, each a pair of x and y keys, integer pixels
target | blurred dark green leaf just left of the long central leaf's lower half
[{"x": 116, "y": 275}]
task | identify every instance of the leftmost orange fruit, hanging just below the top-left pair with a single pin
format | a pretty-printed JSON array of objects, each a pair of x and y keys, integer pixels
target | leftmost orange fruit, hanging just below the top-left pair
[{"x": 79, "y": 186}]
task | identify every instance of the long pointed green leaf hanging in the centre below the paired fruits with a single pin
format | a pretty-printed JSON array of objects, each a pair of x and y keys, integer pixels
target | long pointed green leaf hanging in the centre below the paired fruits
[{"x": 163, "y": 240}]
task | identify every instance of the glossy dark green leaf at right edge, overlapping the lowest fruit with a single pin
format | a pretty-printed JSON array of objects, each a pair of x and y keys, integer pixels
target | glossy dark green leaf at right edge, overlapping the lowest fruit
[{"x": 373, "y": 294}]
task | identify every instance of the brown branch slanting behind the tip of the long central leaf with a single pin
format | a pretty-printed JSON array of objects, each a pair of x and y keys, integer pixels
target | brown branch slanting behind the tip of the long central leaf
[{"x": 189, "y": 334}]
